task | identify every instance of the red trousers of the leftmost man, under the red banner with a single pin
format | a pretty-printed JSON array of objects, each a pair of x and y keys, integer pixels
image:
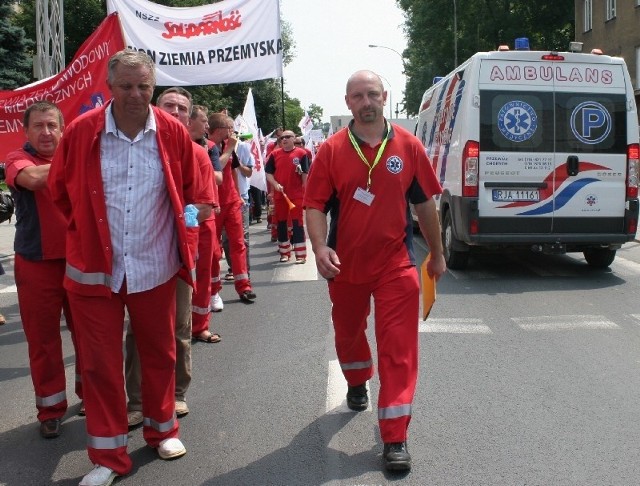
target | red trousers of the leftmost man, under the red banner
[{"x": 42, "y": 299}]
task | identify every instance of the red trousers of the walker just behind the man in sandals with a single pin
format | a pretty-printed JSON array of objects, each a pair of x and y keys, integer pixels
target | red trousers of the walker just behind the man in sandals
[{"x": 230, "y": 218}]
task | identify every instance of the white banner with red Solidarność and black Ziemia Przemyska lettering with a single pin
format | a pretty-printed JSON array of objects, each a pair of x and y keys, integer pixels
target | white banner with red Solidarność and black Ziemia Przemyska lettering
[{"x": 226, "y": 42}]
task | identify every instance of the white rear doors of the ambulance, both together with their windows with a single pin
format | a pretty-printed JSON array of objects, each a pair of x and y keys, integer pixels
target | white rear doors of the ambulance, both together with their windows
[{"x": 553, "y": 141}]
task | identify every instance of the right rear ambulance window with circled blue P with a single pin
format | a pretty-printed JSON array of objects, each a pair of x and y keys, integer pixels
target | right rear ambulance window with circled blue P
[{"x": 591, "y": 123}]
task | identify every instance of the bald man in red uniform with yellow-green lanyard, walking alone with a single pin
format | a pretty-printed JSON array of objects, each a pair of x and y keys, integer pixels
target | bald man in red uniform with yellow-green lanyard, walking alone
[{"x": 366, "y": 175}]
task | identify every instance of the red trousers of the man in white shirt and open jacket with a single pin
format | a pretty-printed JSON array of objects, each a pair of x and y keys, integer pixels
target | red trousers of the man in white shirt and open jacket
[{"x": 151, "y": 316}]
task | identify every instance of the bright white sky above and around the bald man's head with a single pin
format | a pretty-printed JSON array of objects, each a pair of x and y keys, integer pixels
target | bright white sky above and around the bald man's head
[{"x": 332, "y": 40}]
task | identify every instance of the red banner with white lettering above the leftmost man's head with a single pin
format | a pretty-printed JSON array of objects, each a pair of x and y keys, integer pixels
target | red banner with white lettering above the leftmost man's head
[{"x": 81, "y": 86}]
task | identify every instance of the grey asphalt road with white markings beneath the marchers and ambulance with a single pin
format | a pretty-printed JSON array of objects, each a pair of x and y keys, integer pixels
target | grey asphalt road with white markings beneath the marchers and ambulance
[{"x": 529, "y": 376}]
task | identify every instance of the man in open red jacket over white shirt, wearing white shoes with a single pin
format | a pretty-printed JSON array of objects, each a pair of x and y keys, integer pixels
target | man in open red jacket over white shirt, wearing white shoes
[{"x": 124, "y": 176}]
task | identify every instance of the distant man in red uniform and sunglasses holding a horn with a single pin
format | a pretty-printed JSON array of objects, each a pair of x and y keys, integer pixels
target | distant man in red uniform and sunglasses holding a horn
[{"x": 286, "y": 170}]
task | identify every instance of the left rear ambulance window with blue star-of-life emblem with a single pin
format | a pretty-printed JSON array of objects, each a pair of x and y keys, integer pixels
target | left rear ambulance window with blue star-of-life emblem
[{"x": 516, "y": 121}]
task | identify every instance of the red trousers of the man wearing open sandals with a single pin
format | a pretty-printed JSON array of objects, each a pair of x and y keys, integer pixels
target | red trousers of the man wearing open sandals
[{"x": 208, "y": 250}]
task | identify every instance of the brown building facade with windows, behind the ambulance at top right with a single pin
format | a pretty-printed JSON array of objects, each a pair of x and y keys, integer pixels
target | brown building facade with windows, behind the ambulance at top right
[{"x": 614, "y": 27}]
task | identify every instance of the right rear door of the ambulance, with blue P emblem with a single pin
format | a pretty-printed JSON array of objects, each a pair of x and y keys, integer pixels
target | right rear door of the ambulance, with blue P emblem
[{"x": 589, "y": 182}]
